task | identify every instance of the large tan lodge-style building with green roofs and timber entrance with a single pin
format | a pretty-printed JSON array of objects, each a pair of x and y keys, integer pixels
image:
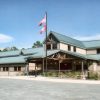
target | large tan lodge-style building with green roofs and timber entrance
[{"x": 63, "y": 54}]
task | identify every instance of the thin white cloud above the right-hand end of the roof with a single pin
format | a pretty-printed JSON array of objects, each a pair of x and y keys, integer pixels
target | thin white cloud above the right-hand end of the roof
[{"x": 87, "y": 38}]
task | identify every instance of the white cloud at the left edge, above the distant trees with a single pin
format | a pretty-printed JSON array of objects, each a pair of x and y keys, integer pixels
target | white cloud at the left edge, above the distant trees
[{"x": 5, "y": 38}]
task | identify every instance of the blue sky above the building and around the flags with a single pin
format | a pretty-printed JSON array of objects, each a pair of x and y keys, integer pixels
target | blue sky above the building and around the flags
[{"x": 19, "y": 19}]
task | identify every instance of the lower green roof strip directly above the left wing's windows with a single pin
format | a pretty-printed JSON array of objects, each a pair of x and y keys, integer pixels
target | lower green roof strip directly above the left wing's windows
[{"x": 12, "y": 60}]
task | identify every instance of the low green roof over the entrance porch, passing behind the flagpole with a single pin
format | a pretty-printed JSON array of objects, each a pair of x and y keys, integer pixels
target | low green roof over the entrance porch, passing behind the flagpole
[{"x": 40, "y": 53}]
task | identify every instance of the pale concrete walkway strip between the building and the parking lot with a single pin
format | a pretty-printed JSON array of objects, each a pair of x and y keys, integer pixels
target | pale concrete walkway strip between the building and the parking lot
[{"x": 52, "y": 79}]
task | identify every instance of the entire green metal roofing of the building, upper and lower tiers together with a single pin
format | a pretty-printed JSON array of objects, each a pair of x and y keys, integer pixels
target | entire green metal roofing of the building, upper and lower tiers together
[{"x": 20, "y": 56}]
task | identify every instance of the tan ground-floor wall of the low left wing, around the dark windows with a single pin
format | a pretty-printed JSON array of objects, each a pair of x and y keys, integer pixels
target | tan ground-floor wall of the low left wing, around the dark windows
[{"x": 23, "y": 71}]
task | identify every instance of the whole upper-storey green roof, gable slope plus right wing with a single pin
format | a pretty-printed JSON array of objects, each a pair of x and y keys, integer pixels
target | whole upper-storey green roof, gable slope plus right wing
[{"x": 82, "y": 44}]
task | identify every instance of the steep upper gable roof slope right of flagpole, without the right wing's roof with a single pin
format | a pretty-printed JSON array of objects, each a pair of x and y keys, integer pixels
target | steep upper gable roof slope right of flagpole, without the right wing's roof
[{"x": 67, "y": 40}]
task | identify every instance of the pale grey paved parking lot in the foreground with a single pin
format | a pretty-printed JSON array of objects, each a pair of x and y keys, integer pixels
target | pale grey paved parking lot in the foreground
[{"x": 16, "y": 89}]
